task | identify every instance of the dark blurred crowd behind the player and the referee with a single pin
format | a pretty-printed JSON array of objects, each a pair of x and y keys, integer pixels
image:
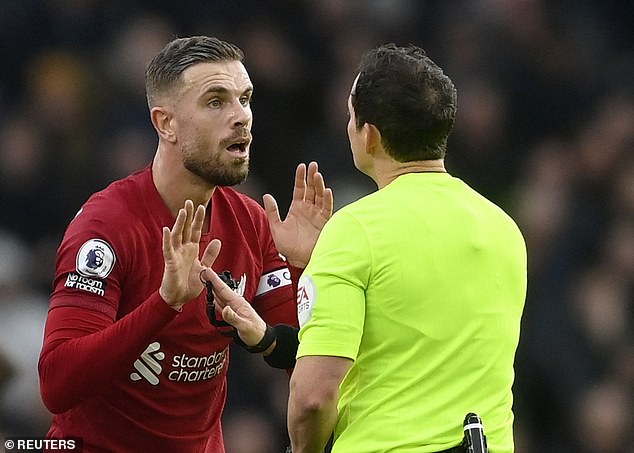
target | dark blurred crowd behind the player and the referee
[{"x": 545, "y": 128}]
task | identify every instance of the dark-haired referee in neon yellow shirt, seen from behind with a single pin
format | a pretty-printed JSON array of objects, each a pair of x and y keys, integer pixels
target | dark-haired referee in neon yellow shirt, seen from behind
[{"x": 411, "y": 303}]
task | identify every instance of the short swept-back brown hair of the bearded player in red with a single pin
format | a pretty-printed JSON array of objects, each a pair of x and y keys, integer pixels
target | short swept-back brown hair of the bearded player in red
[{"x": 164, "y": 71}]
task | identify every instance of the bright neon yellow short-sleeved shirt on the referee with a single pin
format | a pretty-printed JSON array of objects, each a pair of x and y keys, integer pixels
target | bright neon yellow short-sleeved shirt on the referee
[{"x": 422, "y": 284}]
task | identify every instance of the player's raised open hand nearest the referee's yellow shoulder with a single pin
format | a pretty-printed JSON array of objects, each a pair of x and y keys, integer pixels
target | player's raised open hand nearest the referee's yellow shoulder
[{"x": 310, "y": 209}]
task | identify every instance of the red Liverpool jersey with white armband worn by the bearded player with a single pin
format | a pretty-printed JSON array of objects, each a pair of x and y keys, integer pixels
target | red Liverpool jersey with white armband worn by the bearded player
[{"x": 121, "y": 369}]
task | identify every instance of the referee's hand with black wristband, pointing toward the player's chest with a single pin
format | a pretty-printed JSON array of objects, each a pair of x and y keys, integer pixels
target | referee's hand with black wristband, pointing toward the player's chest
[{"x": 236, "y": 310}]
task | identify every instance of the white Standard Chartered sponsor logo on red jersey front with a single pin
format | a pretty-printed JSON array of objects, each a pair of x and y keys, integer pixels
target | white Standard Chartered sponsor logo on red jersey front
[{"x": 183, "y": 367}]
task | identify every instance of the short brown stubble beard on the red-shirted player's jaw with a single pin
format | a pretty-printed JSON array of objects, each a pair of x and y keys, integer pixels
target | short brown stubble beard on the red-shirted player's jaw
[{"x": 215, "y": 168}]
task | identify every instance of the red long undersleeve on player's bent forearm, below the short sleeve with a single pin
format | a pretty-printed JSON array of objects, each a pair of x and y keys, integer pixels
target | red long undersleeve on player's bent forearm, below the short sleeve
[{"x": 78, "y": 359}]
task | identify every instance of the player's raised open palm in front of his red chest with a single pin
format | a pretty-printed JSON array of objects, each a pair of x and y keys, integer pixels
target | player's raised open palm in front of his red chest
[{"x": 181, "y": 276}]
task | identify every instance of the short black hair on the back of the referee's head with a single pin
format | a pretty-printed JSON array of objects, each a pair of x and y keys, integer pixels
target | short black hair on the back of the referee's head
[{"x": 408, "y": 98}]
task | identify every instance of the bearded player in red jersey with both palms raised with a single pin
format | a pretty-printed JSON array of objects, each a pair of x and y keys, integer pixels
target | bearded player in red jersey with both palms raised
[{"x": 130, "y": 360}]
